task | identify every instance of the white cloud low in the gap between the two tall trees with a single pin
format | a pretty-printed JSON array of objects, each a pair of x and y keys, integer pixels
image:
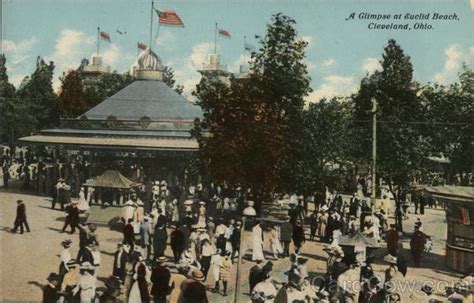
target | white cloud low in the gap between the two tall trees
[{"x": 333, "y": 85}]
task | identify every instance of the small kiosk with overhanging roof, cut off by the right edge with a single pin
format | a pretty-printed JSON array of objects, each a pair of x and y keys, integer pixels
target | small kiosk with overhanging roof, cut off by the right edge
[{"x": 459, "y": 207}]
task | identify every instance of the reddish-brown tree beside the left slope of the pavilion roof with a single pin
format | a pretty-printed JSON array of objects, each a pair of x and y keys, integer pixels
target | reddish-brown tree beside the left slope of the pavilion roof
[{"x": 71, "y": 97}]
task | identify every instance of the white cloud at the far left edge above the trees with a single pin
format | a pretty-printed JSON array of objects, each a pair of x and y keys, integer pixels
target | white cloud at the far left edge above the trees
[{"x": 18, "y": 58}]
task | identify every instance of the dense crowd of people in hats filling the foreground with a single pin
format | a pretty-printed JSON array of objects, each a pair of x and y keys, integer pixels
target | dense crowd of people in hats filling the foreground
[{"x": 204, "y": 227}]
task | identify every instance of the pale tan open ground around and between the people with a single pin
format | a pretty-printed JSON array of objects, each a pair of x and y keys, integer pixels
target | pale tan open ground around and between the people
[{"x": 26, "y": 260}]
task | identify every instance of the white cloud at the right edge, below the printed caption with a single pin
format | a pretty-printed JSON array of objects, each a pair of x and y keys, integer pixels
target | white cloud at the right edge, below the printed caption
[{"x": 455, "y": 57}]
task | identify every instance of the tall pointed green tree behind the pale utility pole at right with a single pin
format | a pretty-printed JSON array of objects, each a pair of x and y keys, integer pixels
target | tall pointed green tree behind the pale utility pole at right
[{"x": 401, "y": 148}]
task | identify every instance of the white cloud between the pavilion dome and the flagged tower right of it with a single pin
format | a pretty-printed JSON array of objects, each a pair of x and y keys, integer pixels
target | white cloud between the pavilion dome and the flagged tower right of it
[{"x": 187, "y": 74}]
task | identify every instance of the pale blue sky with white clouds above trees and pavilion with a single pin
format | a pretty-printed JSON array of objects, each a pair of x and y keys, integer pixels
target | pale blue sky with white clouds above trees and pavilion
[{"x": 339, "y": 53}]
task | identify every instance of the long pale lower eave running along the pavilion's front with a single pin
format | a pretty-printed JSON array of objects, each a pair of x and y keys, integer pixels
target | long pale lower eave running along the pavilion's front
[{"x": 173, "y": 144}]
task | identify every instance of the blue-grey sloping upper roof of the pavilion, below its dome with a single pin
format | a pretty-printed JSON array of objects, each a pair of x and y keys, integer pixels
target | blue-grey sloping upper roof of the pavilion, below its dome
[{"x": 146, "y": 98}]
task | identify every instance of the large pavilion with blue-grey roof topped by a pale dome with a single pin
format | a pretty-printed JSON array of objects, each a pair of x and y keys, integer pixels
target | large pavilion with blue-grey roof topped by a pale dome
[{"x": 147, "y": 124}]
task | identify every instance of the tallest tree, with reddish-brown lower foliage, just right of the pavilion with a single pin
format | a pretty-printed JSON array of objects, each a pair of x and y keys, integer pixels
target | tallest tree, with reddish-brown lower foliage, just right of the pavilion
[{"x": 253, "y": 125}]
